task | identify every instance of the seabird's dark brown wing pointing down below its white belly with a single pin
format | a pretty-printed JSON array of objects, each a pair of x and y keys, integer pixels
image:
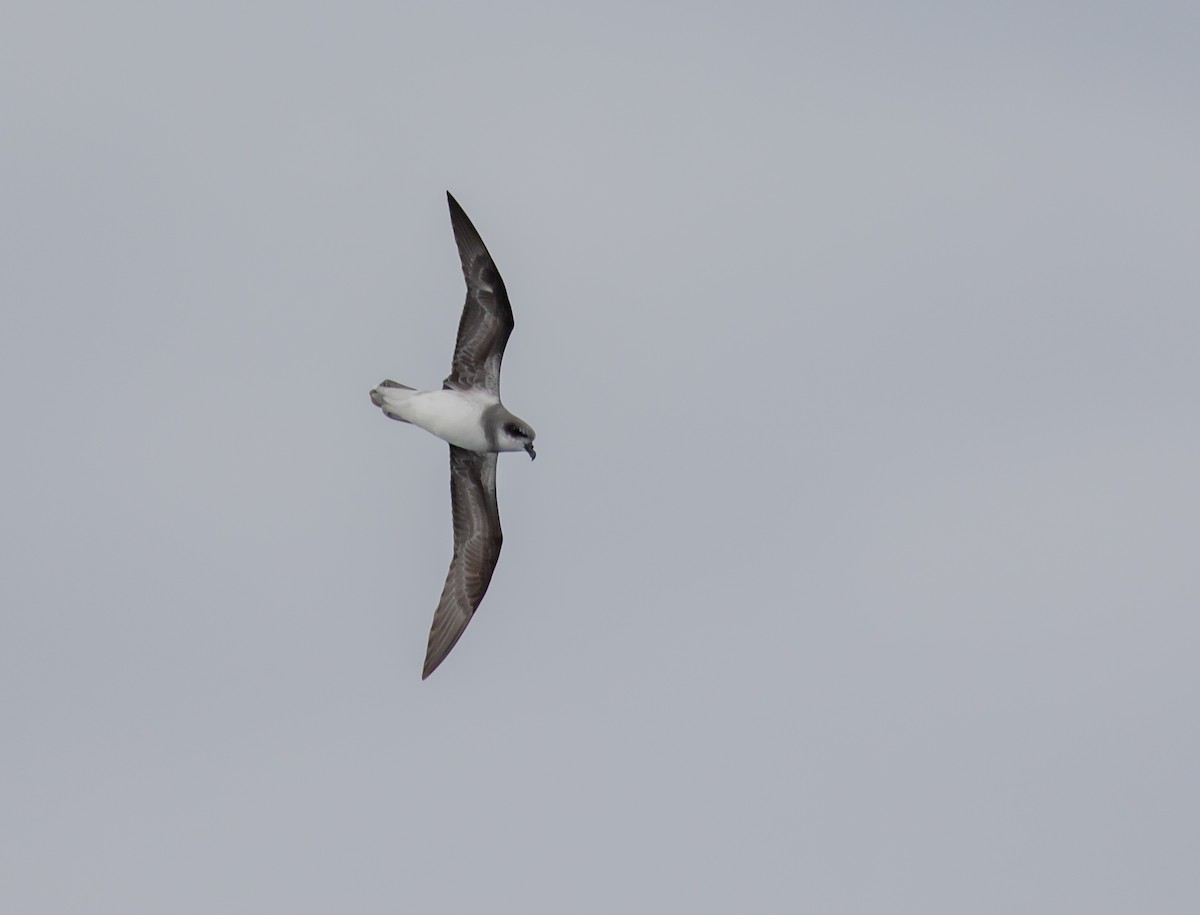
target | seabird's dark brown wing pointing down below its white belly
[{"x": 477, "y": 547}]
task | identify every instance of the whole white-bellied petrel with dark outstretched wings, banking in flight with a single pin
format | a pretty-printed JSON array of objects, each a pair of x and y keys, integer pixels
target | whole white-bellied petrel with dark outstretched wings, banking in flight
[{"x": 469, "y": 415}]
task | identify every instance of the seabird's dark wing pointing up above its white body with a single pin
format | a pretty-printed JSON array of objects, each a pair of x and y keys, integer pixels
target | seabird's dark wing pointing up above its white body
[{"x": 488, "y": 316}]
